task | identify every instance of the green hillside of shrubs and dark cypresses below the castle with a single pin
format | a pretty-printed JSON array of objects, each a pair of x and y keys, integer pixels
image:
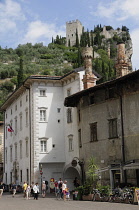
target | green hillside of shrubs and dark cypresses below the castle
[{"x": 56, "y": 59}]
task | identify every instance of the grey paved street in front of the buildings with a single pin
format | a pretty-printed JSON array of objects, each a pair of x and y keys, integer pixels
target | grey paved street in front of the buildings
[{"x": 7, "y": 202}]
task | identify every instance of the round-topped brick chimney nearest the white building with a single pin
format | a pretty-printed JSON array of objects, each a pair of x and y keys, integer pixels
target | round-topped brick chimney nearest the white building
[{"x": 89, "y": 79}]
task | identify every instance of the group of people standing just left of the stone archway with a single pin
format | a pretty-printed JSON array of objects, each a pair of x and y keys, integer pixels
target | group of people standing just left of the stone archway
[{"x": 61, "y": 190}]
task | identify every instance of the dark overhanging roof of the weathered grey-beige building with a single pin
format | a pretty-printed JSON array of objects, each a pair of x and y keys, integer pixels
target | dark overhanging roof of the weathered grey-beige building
[{"x": 72, "y": 100}]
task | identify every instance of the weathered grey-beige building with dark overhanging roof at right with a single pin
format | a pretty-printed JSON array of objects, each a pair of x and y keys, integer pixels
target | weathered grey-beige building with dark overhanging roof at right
[{"x": 109, "y": 128}]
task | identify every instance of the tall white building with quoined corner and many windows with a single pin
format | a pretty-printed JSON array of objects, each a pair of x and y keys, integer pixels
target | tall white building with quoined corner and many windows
[{"x": 45, "y": 133}]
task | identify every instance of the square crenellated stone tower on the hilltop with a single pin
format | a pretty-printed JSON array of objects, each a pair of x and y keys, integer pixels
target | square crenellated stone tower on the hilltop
[{"x": 71, "y": 27}]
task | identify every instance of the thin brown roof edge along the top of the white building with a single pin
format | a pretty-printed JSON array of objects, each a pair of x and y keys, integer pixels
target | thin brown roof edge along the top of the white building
[{"x": 26, "y": 84}]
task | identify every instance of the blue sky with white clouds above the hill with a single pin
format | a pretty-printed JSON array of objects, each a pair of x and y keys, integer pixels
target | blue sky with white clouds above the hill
[{"x": 35, "y": 21}]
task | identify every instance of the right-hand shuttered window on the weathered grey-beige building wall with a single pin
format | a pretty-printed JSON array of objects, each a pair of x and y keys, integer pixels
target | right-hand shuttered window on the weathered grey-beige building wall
[{"x": 113, "y": 128}]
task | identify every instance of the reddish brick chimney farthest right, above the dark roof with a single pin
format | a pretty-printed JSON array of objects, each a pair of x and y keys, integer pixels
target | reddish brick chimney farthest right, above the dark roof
[{"x": 121, "y": 64}]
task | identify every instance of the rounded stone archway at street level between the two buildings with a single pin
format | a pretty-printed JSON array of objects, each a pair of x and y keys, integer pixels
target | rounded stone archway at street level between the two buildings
[{"x": 69, "y": 174}]
